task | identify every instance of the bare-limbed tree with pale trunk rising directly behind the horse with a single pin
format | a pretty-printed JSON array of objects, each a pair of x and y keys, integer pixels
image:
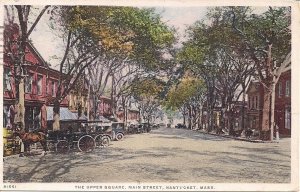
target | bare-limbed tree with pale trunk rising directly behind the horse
[{"x": 15, "y": 48}]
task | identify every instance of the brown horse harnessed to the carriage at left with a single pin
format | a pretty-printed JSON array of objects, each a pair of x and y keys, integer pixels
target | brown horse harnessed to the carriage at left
[{"x": 31, "y": 138}]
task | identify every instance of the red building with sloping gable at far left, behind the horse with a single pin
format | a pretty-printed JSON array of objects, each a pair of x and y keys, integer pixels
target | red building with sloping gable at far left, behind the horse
[{"x": 41, "y": 84}]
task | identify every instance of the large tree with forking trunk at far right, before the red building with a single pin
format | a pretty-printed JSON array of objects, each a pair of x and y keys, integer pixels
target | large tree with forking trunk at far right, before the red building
[{"x": 267, "y": 39}]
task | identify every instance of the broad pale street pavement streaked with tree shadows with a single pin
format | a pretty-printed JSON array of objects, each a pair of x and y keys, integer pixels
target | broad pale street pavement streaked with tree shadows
[{"x": 163, "y": 155}]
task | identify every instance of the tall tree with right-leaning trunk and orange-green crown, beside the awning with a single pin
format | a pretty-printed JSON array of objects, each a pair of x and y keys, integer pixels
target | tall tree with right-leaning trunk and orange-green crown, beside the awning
[{"x": 109, "y": 36}]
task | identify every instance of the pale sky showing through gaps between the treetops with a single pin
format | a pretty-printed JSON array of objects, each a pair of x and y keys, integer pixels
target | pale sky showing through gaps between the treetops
[{"x": 50, "y": 45}]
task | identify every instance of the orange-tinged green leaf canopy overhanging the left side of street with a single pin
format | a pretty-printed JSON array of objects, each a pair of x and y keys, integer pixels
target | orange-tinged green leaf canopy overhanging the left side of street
[{"x": 132, "y": 32}]
